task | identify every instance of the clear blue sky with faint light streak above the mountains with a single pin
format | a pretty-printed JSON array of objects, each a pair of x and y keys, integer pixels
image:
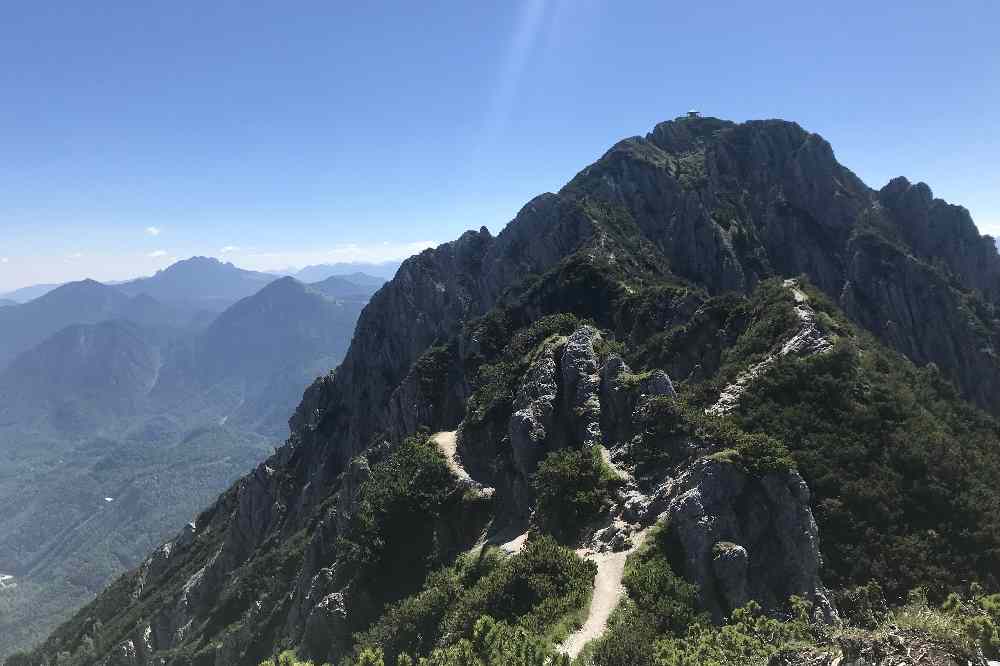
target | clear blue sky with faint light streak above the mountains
[{"x": 290, "y": 133}]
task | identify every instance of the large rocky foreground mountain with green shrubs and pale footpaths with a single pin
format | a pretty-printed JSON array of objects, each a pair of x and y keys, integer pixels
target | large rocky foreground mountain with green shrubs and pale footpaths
[{"x": 715, "y": 367}]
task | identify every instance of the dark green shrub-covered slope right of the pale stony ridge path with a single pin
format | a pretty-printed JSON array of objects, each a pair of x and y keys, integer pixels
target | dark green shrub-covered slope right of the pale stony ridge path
[{"x": 903, "y": 474}]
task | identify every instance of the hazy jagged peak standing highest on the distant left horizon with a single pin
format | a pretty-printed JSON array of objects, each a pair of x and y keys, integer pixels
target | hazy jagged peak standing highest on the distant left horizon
[{"x": 199, "y": 279}]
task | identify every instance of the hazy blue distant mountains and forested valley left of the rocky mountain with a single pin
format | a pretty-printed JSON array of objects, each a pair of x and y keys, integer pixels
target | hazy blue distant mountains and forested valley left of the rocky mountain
[{"x": 155, "y": 393}]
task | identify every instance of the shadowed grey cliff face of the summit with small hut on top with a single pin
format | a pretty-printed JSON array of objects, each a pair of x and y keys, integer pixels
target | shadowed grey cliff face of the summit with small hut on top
[{"x": 729, "y": 204}]
